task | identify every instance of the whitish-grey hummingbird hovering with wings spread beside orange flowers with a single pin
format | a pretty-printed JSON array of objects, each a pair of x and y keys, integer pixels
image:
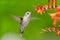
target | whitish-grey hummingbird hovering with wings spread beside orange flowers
[{"x": 24, "y": 21}]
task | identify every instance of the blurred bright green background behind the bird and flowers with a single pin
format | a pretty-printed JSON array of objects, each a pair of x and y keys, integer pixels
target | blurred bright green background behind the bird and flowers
[{"x": 32, "y": 31}]
